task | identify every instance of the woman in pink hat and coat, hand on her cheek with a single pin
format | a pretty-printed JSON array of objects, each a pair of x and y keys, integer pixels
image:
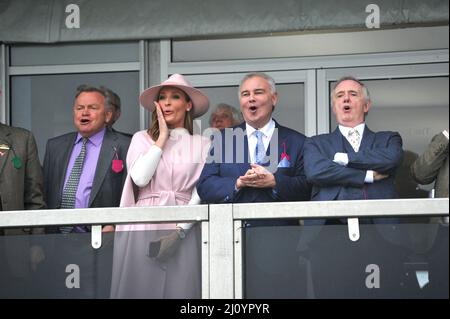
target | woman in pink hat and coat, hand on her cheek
[{"x": 164, "y": 164}]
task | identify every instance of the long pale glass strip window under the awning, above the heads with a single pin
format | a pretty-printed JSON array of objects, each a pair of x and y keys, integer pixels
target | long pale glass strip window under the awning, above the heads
[{"x": 284, "y": 45}]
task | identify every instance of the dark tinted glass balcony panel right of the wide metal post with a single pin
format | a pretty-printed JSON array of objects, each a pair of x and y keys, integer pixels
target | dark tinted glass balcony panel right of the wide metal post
[{"x": 403, "y": 259}]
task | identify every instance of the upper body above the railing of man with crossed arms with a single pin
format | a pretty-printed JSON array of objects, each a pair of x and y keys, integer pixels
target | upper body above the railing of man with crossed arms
[{"x": 337, "y": 170}]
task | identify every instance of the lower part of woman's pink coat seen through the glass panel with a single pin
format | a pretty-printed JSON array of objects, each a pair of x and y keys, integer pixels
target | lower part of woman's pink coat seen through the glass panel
[{"x": 138, "y": 271}]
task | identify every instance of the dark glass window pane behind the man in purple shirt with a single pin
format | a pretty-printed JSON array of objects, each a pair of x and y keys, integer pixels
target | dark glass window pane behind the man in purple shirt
[{"x": 43, "y": 103}]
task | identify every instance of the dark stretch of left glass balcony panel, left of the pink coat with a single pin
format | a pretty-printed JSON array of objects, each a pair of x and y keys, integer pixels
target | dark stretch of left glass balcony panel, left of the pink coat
[{"x": 66, "y": 267}]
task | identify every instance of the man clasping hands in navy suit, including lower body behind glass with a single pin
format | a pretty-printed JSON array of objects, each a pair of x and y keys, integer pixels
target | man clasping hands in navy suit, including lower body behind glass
[{"x": 243, "y": 168}]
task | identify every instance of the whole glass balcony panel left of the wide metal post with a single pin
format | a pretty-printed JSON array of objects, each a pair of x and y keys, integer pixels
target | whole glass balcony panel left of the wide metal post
[{"x": 66, "y": 266}]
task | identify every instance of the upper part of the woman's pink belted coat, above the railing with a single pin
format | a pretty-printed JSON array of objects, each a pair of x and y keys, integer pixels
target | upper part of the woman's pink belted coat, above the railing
[{"x": 175, "y": 177}]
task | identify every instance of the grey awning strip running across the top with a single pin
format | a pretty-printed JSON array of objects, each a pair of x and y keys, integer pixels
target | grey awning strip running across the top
[{"x": 45, "y": 20}]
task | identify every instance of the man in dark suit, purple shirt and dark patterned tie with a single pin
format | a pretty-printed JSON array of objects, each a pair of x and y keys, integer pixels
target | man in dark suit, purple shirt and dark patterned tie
[{"x": 99, "y": 184}]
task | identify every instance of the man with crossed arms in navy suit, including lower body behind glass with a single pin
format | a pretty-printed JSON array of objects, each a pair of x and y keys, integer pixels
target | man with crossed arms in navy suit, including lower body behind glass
[{"x": 353, "y": 163}]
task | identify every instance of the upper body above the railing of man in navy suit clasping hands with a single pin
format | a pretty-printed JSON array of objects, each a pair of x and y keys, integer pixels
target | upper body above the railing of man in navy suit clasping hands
[{"x": 231, "y": 173}]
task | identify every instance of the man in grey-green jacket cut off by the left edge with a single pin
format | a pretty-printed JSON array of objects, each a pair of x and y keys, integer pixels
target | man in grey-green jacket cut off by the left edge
[{"x": 21, "y": 188}]
